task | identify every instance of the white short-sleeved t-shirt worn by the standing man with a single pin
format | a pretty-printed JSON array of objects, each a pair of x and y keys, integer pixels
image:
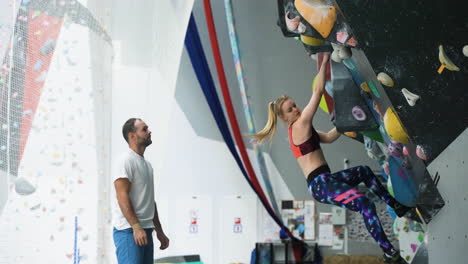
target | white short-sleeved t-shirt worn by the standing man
[{"x": 140, "y": 174}]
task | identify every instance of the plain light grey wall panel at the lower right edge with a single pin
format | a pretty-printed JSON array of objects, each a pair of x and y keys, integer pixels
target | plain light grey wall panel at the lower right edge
[{"x": 448, "y": 233}]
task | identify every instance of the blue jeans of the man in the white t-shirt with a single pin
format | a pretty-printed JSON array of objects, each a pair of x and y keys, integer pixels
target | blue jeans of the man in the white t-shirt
[{"x": 128, "y": 252}]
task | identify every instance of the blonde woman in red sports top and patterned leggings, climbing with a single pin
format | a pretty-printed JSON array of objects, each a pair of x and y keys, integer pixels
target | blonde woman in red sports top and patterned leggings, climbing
[{"x": 331, "y": 188}]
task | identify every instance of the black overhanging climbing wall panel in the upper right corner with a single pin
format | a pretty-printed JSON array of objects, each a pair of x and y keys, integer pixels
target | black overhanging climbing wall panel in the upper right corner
[{"x": 402, "y": 38}]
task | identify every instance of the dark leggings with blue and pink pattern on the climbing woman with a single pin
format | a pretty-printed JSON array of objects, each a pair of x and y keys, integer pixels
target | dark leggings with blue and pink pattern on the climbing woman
[{"x": 339, "y": 189}]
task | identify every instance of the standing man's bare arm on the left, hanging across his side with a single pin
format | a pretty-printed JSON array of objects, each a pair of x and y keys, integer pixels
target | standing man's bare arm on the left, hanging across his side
[{"x": 122, "y": 190}]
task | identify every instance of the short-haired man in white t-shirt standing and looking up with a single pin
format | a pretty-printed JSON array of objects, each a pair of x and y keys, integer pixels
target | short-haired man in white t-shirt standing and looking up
[{"x": 135, "y": 214}]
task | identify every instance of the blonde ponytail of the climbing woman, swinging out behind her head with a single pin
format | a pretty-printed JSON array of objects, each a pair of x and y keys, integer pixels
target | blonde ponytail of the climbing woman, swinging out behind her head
[{"x": 274, "y": 109}]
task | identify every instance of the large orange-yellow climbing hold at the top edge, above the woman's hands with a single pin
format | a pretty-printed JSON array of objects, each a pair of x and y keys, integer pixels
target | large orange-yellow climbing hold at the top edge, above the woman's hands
[{"x": 321, "y": 17}]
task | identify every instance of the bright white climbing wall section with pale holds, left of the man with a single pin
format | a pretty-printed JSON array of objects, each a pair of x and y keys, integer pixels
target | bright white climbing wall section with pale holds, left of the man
[{"x": 60, "y": 161}]
